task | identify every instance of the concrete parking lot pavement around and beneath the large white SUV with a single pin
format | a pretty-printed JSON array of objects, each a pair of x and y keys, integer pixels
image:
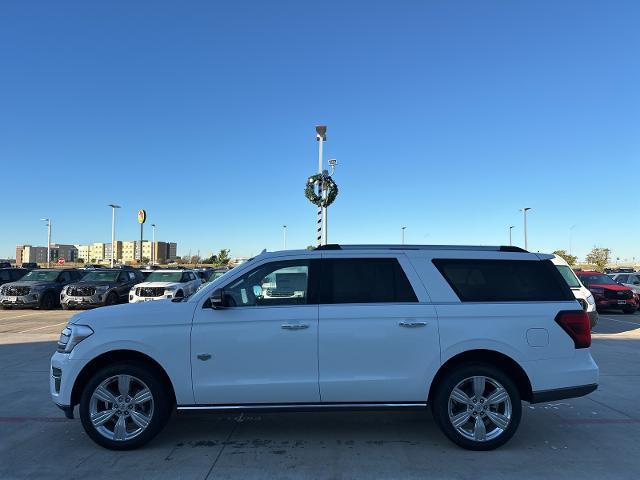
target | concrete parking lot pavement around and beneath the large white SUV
[{"x": 591, "y": 437}]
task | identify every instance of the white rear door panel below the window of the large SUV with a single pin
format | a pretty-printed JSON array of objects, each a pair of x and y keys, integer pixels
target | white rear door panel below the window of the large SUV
[{"x": 366, "y": 355}]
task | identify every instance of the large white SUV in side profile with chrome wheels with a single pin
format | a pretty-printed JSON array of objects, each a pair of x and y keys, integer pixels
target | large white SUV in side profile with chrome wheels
[{"x": 469, "y": 331}]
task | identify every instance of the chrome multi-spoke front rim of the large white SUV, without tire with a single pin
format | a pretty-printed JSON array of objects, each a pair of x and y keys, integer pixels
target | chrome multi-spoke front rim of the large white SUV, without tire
[{"x": 121, "y": 407}]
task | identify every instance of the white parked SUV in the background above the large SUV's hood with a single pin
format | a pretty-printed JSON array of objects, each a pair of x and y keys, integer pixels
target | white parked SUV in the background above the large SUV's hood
[{"x": 163, "y": 284}]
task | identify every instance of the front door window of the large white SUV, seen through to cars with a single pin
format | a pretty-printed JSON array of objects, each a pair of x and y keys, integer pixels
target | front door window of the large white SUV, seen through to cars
[{"x": 271, "y": 284}]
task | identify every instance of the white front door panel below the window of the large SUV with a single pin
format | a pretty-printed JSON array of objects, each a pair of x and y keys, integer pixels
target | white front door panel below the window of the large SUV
[{"x": 253, "y": 358}]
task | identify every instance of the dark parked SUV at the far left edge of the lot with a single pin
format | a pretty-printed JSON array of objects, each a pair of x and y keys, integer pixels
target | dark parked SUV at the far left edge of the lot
[{"x": 38, "y": 288}]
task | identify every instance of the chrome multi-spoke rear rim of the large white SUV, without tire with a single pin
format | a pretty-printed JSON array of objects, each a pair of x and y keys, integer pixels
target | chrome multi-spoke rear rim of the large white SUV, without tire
[{"x": 479, "y": 408}]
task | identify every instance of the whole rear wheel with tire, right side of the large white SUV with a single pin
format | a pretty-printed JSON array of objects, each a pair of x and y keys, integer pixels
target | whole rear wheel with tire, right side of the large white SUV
[{"x": 477, "y": 406}]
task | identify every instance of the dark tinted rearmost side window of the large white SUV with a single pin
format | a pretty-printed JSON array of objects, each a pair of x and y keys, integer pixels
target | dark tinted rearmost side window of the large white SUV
[{"x": 504, "y": 280}]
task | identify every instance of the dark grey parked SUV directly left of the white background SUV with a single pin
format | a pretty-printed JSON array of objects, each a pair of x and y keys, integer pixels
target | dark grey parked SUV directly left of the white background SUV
[{"x": 100, "y": 287}]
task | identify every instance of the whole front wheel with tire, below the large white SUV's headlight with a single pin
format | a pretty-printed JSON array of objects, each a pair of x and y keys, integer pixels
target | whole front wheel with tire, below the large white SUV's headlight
[{"x": 124, "y": 406}]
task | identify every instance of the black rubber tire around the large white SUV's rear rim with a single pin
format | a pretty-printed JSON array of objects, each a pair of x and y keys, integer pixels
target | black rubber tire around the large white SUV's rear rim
[{"x": 440, "y": 406}]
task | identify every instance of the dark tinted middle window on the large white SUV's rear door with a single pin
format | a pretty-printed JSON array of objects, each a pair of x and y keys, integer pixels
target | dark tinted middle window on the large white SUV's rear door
[{"x": 364, "y": 280}]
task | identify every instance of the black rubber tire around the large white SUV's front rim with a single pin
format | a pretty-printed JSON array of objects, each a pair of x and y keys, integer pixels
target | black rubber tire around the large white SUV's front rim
[{"x": 162, "y": 404}]
